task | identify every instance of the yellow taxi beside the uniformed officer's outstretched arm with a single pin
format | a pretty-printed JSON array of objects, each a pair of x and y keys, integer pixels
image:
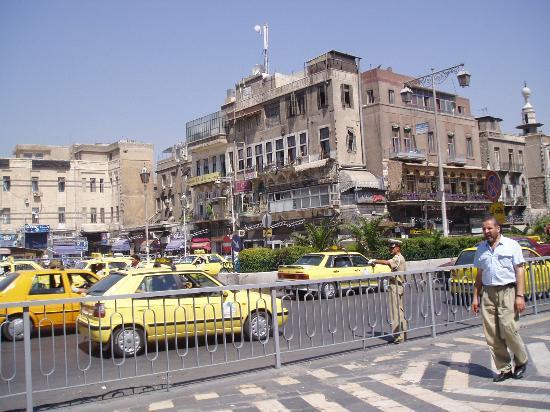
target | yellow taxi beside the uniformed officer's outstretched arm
[{"x": 330, "y": 264}]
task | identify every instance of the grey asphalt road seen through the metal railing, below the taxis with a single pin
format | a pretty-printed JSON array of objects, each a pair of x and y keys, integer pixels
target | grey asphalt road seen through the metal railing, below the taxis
[{"x": 316, "y": 326}]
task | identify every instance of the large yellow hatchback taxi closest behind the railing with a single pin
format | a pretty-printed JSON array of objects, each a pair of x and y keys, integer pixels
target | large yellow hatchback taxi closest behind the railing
[{"x": 127, "y": 324}]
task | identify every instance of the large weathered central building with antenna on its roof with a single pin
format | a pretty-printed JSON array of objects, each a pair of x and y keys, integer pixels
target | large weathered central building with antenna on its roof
[{"x": 286, "y": 145}]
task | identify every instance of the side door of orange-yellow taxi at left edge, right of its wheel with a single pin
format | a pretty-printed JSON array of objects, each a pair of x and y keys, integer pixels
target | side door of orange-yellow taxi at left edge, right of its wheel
[{"x": 45, "y": 286}]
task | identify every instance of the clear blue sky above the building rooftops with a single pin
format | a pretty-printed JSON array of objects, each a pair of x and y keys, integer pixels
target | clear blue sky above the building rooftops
[{"x": 98, "y": 71}]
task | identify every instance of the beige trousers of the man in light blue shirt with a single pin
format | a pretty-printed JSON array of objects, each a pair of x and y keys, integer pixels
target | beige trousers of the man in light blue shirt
[{"x": 500, "y": 323}]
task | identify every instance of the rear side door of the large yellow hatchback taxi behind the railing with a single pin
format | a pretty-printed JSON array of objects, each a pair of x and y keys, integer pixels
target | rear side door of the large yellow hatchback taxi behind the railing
[{"x": 157, "y": 313}]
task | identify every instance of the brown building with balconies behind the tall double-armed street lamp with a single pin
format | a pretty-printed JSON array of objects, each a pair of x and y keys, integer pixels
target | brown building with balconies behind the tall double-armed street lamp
[{"x": 400, "y": 146}]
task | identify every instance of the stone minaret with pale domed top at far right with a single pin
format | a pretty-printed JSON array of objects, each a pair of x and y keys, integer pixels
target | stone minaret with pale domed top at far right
[{"x": 537, "y": 153}]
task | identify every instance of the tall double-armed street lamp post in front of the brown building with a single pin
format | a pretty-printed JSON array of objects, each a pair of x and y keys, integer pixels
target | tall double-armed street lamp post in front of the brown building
[{"x": 431, "y": 80}]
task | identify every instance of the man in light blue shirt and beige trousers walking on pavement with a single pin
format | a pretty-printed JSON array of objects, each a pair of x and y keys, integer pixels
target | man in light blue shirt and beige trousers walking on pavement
[{"x": 501, "y": 277}]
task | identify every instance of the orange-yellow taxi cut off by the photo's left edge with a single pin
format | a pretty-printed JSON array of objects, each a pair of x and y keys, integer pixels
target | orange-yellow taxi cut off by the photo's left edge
[{"x": 42, "y": 284}]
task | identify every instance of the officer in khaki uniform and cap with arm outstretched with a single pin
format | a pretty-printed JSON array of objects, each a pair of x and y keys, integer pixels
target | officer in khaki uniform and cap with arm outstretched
[{"x": 396, "y": 289}]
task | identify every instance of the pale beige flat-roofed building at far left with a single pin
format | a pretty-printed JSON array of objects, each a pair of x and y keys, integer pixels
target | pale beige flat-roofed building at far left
[{"x": 54, "y": 195}]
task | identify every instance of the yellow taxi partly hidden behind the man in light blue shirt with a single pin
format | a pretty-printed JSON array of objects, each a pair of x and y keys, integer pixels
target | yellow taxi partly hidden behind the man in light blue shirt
[{"x": 461, "y": 281}]
